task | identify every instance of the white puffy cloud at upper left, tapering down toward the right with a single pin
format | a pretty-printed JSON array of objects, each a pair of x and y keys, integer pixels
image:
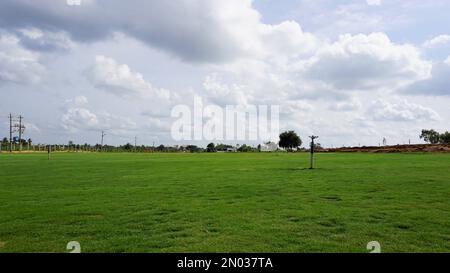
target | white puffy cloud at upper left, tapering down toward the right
[{"x": 109, "y": 75}]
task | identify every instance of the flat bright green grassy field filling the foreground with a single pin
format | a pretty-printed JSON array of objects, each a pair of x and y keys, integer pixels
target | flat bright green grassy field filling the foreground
[{"x": 224, "y": 202}]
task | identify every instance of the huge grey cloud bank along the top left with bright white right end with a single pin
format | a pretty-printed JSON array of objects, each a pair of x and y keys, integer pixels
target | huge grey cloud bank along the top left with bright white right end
[{"x": 195, "y": 31}]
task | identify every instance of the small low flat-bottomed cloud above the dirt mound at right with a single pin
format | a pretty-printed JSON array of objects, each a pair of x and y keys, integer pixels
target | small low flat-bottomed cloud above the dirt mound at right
[{"x": 403, "y": 110}]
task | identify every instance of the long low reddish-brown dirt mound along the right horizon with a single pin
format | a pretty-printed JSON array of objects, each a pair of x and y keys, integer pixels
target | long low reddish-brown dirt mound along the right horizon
[{"x": 425, "y": 148}]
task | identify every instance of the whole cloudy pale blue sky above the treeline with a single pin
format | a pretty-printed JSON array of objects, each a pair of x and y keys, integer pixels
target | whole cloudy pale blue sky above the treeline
[{"x": 352, "y": 72}]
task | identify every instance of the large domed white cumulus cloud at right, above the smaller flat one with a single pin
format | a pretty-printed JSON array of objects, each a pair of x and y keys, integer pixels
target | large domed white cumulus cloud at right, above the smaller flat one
[{"x": 367, "y": 62}]
